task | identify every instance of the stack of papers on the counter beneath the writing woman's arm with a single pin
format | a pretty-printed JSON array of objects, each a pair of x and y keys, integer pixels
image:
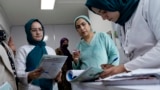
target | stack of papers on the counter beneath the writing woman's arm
[{"x": 136, "y": 77}]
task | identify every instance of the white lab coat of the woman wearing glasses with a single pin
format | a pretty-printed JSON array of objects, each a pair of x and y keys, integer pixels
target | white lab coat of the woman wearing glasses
[{"x": 21, "y": 66}]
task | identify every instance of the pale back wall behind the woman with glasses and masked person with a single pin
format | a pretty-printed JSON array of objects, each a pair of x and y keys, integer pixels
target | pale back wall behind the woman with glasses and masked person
[{"x": 54, "y": 32}]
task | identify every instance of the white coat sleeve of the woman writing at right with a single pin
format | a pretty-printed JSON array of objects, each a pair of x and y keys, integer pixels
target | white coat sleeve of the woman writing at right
[{"x": 151, "y": 59}]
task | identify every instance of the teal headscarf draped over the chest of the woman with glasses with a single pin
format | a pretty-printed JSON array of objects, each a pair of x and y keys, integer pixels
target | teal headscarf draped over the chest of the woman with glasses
[{"x": 39, "y": 48}]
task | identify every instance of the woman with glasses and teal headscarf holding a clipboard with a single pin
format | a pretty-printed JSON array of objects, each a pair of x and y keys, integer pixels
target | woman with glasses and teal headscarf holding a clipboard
[{"x": 28, "y": 58}]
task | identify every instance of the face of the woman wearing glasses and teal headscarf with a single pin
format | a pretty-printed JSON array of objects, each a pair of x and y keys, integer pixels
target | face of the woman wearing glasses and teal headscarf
[{"x": 37, "y": 31}]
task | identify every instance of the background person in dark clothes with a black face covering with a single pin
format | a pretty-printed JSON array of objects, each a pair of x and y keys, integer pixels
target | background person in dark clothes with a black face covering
[{"x": 63, "y": 50}]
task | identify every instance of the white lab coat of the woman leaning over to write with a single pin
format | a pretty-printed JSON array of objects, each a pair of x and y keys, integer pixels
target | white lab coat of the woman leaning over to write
[{"x": 141, "y": 37}]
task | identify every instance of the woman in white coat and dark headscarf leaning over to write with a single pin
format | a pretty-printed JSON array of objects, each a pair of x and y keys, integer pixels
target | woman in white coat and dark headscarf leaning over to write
[{"x": 139, "y": 31}]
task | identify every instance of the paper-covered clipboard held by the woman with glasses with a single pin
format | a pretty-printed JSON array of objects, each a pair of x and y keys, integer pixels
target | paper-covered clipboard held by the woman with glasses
[{"x": 51, "y": 65}]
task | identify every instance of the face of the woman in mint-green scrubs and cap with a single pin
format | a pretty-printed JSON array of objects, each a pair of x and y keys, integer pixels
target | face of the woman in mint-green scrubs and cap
[{"x": 83, "y": 27}]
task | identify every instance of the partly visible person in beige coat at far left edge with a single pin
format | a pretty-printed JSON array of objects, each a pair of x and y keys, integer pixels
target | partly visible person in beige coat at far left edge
[{"x": 7, "y": 66}]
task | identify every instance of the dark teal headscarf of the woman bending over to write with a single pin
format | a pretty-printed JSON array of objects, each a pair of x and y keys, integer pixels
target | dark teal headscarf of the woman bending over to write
[{"x": 125, "y": 7}]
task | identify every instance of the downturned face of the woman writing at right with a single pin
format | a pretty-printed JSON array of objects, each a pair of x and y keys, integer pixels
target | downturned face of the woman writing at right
[{"x": 111, "y": 16}]
